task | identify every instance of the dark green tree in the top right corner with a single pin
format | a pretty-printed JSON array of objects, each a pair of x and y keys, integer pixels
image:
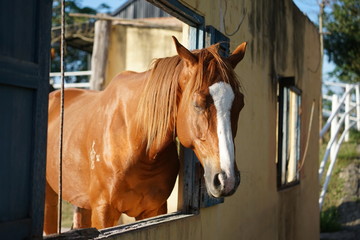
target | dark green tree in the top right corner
[{"x": 342, "y": 43}]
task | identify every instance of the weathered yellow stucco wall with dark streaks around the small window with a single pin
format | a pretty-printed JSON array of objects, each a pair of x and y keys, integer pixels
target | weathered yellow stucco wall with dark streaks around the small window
[{"x": 281, "y": 42}]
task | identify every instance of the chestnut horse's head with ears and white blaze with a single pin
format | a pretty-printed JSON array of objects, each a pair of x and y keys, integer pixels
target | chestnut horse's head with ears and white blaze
[{"x": 208, "y": 112}]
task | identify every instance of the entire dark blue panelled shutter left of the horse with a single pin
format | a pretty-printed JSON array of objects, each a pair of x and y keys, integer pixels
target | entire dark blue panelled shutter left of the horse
[{"x": 24, "y": 71}]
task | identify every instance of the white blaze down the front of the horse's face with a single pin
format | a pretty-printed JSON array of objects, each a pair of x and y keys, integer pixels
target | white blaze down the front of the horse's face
[{"x": 223, "y": 97}]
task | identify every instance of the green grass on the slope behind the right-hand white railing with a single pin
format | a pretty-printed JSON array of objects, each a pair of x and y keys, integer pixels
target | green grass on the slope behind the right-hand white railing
[{"x": 329, "y": 216}]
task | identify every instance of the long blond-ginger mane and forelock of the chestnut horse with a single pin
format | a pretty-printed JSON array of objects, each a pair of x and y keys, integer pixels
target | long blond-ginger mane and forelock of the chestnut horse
[{"x": 157, "y": 111}]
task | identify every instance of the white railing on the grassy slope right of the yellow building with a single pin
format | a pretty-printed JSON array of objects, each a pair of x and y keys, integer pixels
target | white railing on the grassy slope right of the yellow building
[{"x": 344, "y": 115}]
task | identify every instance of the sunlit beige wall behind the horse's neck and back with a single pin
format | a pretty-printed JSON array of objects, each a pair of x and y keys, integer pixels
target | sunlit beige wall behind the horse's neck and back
[{"x": 133, "y": 48}]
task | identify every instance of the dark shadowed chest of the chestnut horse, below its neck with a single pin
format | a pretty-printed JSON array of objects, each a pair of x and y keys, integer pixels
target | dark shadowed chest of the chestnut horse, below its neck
[{"x": 148, "y": 183}]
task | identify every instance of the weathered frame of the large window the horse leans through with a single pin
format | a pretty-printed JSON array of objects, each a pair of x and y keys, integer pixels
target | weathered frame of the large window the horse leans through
[{"x": 189, "y": 175}]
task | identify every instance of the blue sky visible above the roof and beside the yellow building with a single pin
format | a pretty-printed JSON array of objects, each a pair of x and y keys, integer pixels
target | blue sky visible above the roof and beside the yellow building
[{"x": 309, "y": 7}]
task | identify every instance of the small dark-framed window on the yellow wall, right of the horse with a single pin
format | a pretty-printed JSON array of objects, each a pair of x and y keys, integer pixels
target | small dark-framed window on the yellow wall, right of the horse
[{"x": 288, "y": 85}]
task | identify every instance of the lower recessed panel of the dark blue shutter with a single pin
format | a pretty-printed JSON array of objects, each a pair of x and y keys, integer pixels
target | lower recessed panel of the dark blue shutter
[{"x": 16, "y": 107}]
